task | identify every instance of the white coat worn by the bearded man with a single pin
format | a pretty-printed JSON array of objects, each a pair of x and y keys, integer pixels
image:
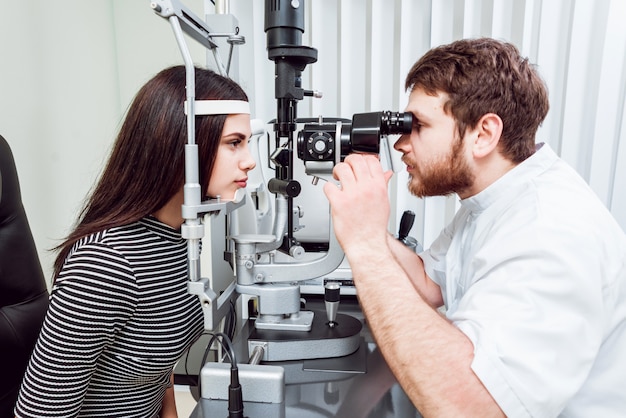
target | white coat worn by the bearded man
[{"x": 533, "y": 271}]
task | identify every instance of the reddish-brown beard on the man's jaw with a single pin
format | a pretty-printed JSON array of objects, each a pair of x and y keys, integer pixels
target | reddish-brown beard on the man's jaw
[{"x": 445, "y": 176}]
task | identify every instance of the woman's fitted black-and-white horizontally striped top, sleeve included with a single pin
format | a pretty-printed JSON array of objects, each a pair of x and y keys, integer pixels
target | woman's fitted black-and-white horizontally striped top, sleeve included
[{"x": 119, "y": 319}]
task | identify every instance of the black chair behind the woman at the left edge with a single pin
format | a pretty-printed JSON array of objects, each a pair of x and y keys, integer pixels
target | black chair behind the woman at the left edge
[{"x": 23, "y": 291}]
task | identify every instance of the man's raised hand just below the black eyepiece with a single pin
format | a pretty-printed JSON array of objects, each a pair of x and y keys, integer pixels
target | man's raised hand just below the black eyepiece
[{"x": 360, "y": 207}]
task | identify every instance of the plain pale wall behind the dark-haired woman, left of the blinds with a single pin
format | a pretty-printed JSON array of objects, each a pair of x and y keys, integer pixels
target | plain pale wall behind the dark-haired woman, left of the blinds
[{"x": 68, "y": 71}]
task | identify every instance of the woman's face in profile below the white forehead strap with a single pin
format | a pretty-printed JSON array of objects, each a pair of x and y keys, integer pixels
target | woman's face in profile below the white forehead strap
[{"x": 233, "y": 160}]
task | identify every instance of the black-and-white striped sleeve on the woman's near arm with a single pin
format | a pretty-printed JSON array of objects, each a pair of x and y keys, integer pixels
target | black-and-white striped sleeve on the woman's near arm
[{"x": 92, "y": 298}]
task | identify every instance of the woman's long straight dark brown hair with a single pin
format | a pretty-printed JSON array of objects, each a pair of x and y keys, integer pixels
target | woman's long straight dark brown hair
[{"x": 146, "y": 167}]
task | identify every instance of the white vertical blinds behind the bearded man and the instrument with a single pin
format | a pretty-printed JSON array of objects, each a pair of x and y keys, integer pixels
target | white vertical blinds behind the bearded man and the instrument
[{"x": 366, "y": 47}]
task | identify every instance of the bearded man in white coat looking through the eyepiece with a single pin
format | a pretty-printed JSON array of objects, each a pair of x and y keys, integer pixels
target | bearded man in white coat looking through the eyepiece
[{"x": 531, "y": 270}]
